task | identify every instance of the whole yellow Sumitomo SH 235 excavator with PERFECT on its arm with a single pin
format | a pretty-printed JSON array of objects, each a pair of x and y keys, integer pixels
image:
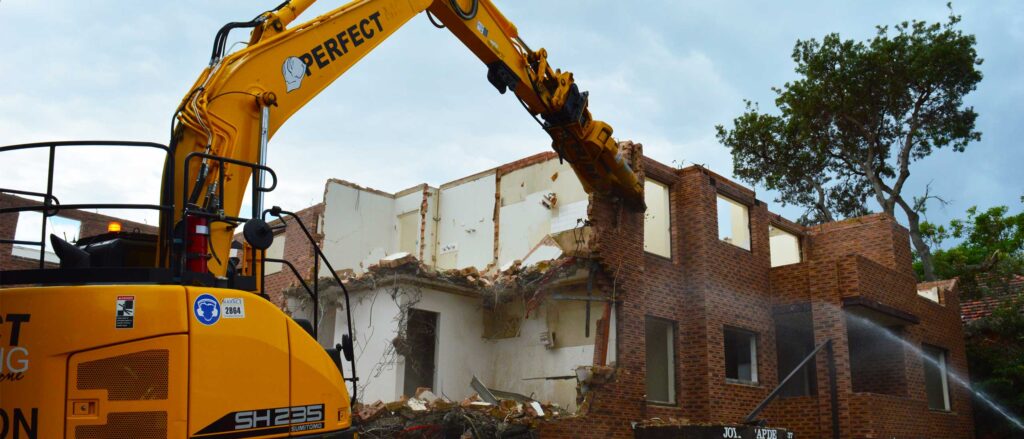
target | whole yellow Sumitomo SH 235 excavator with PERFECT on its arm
[{"x": 166, "y": 336}]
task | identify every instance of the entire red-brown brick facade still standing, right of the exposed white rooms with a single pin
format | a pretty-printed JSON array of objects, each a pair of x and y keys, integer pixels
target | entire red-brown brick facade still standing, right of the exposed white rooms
[{"x": 709, "y": 285}]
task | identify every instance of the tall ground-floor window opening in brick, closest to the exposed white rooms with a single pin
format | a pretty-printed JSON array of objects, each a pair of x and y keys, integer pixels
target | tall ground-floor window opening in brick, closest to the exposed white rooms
[{"x": 660, "y": 336}]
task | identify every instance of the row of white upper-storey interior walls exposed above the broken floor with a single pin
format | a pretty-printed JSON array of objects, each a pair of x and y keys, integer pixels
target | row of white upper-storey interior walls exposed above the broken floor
[{"x": 362, "y": 227}]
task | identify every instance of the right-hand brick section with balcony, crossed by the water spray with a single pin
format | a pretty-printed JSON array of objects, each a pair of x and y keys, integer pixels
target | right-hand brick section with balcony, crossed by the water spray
[{"x": 869, "y": 258}]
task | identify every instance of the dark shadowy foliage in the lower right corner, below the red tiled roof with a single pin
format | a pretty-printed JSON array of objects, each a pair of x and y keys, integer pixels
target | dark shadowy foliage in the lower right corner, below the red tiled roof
[{"x": 996, "y": 359}]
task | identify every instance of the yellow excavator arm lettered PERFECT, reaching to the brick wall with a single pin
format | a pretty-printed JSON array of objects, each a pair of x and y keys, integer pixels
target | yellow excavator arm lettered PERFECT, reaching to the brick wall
[{"x": 241, "y": 100}]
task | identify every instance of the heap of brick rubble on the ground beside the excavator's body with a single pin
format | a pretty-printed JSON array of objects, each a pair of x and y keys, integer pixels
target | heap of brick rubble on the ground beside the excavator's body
[{"x": 428, "y": 416}]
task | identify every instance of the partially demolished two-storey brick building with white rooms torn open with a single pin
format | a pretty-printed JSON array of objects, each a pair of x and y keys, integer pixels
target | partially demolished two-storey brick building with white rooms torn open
[{"x": 699, "y": 306}]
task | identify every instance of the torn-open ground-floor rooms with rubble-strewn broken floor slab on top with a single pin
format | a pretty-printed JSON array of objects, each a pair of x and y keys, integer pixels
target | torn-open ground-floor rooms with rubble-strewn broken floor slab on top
[{"x": 546, "y": 309}]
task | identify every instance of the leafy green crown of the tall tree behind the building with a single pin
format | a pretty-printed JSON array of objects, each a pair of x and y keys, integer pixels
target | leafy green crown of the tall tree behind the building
[{"x": 860, "y": 115}]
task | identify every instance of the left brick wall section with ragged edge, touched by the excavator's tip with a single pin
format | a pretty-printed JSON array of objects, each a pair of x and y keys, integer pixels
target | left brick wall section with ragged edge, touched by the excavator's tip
[{"x": 706, "y": 286}]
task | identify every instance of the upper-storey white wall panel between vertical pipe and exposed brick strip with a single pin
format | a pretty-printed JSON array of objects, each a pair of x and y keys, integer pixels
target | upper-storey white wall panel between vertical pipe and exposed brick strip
[{"x": 466, "y": 231}]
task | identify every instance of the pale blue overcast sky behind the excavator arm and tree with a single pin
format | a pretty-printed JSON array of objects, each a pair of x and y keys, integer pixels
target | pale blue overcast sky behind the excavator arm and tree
[{"x": 420, "y": 110}]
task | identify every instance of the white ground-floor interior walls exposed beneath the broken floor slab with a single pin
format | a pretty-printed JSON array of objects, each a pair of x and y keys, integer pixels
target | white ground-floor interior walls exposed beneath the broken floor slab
[{"x": 462, "y": 352}]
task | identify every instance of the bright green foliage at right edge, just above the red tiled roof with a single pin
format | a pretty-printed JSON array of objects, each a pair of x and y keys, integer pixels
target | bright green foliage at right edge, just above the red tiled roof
[{"x": 990, "y": 253}]
